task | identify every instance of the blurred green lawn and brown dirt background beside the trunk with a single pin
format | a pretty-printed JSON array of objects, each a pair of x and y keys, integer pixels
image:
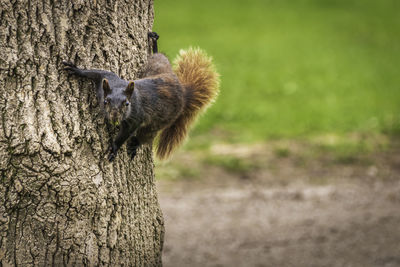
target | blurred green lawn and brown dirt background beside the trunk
[{"x": 298, "y": 160}]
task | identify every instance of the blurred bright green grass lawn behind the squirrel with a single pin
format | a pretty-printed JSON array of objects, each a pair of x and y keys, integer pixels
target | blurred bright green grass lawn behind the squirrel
[{"x": 292, "y": 69}]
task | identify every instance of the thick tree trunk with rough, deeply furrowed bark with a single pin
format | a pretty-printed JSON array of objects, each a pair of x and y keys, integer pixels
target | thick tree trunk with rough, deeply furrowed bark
[{"x": 61, "y": 201}]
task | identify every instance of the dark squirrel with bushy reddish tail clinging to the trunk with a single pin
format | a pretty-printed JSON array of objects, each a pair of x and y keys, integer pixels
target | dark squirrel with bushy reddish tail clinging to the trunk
[{"x": 164, "y": 103}]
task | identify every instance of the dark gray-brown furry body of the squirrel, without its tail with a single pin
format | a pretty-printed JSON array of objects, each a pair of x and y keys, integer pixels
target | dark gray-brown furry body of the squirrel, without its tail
[{"x": 156, "y": 102}]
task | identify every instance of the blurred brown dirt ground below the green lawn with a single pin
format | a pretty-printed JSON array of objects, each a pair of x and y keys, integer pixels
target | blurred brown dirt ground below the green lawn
[{"x": 289, "y": 215}]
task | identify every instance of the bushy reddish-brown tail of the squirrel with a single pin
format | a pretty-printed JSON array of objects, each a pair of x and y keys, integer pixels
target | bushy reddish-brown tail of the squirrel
[{"x": 200, "y": 80}]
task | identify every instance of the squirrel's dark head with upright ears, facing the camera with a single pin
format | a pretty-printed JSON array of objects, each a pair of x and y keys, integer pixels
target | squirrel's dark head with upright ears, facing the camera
[{"x": 117, "y": 102}]
